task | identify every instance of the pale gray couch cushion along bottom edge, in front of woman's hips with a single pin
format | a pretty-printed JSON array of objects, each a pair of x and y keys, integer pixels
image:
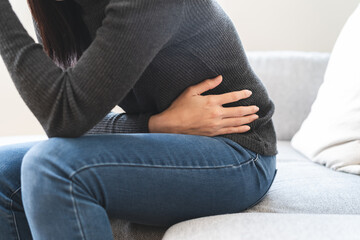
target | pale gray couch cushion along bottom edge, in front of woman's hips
[{"x": 265, "y": 226}]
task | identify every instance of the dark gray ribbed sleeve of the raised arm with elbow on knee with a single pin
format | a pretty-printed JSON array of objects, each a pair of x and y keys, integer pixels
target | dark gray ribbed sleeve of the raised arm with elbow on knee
[{"x": 68, "y": 103}]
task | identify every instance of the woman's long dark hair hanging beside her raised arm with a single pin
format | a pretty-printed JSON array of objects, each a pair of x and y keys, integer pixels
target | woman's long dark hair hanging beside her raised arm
[{"x": 62, "y": 30}]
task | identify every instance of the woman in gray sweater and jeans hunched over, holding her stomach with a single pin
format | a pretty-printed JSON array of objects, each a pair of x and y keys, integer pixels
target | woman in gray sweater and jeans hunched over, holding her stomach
[{"x": 185, "y": 148}]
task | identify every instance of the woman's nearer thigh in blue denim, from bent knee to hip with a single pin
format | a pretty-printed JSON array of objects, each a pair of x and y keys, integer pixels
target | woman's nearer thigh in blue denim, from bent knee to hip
[{"x": 158, "y": 179}]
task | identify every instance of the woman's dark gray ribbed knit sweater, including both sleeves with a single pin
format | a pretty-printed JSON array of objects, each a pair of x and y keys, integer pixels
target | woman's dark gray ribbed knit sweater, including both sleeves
[{"x": 143, "y": 55}]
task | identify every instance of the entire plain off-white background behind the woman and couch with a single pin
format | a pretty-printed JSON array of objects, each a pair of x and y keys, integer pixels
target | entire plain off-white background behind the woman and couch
[{"x": 263, "y": 25}]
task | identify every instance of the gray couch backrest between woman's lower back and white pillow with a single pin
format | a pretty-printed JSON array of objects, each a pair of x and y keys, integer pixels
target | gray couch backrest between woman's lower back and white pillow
[{"x": 292, "y": 80}]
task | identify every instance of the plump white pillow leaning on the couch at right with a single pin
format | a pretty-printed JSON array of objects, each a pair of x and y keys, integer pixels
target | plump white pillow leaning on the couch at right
[{"x": 330, "y": 135}]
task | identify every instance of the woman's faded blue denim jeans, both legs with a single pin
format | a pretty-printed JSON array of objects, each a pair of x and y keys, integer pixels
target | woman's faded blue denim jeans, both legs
[{"x": 69, "y": 188}]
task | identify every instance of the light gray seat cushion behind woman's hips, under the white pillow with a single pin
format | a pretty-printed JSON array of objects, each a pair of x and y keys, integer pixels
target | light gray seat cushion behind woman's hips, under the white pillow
[{"x": 302, "y": 186}]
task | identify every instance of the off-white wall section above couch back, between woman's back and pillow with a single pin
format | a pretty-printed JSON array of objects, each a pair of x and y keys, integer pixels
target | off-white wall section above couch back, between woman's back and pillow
[{"x": 303, "y": 25}]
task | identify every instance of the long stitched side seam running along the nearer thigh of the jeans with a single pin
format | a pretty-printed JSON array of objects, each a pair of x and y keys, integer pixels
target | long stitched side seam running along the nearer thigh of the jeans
[{"x": 160, "y": 166}]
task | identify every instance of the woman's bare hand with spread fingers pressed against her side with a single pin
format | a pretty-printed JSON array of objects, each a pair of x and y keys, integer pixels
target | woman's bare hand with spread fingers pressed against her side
[{"x": 192, "y": 113}]
